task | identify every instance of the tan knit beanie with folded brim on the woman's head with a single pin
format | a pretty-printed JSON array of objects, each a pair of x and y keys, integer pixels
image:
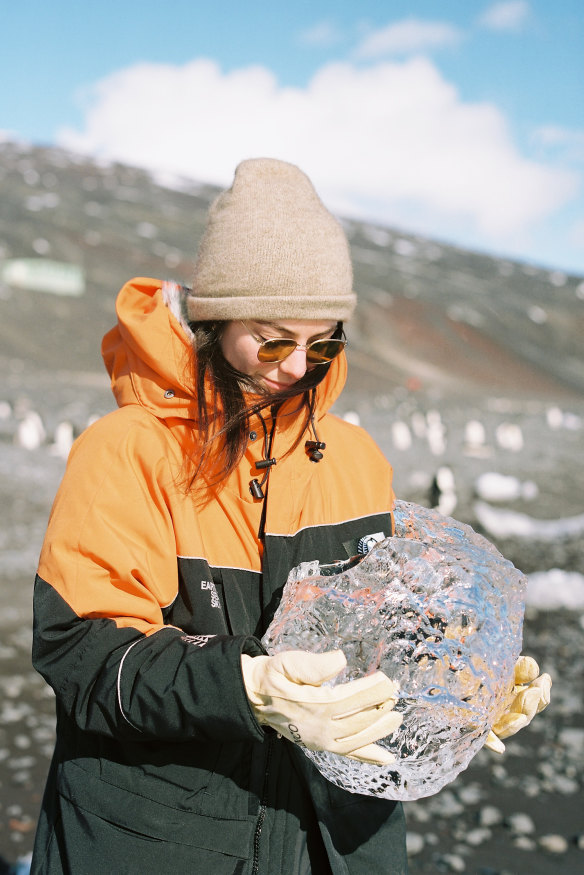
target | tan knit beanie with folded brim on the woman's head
[{"x": 271, "y": 250}]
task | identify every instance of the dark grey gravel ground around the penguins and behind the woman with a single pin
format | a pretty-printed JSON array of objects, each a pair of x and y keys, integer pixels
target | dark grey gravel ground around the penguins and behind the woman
[{"x": 522, "y": 812}]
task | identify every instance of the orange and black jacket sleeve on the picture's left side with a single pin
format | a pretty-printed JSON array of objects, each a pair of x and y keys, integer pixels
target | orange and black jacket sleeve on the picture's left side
[{"x": 107, "y": 569}]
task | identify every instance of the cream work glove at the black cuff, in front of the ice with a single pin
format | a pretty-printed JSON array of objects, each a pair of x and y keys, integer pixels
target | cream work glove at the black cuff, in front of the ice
[{"x": 286, "y": 693}]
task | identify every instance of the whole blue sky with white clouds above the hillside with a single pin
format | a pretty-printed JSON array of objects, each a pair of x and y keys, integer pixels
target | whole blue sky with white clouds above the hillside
[{"x": 459, "y": 120}]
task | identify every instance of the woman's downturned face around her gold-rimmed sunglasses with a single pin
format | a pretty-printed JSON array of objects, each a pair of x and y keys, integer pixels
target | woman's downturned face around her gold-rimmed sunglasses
[{"x": 240, "y": 348}]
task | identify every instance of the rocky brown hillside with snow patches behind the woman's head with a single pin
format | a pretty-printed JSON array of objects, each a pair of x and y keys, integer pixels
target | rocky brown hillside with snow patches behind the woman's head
[{"x": 431, "y": 318}]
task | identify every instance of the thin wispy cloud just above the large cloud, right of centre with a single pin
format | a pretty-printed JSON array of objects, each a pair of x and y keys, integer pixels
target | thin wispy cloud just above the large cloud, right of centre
[{"x": 408, "y": 37}]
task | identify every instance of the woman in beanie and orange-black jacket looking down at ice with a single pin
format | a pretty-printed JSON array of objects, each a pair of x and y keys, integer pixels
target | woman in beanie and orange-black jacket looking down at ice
[{"x": 175, "y": 527}]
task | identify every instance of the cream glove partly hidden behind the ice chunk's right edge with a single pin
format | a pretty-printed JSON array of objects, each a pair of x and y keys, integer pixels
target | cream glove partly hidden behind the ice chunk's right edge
[{"x": 530, "y": 695}]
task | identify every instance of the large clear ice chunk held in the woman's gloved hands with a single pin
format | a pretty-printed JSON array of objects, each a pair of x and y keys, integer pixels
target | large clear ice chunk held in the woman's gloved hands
[{"x": 440, "y": 611}]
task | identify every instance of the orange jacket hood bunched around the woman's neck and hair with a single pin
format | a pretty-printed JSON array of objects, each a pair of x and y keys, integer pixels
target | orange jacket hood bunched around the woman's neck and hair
[{"x": 149, "y": 353}]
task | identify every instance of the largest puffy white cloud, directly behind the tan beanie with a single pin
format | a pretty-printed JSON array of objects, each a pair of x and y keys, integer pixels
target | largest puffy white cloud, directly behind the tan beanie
[{"x": 392, "y": 142}]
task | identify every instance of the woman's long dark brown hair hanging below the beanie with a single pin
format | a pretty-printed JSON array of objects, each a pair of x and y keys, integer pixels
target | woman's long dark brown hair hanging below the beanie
[{"x": 224, "y": 415}]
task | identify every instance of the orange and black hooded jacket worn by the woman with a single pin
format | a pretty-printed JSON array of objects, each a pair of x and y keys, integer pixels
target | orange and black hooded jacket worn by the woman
[{"x": 145, "y": 599}]
